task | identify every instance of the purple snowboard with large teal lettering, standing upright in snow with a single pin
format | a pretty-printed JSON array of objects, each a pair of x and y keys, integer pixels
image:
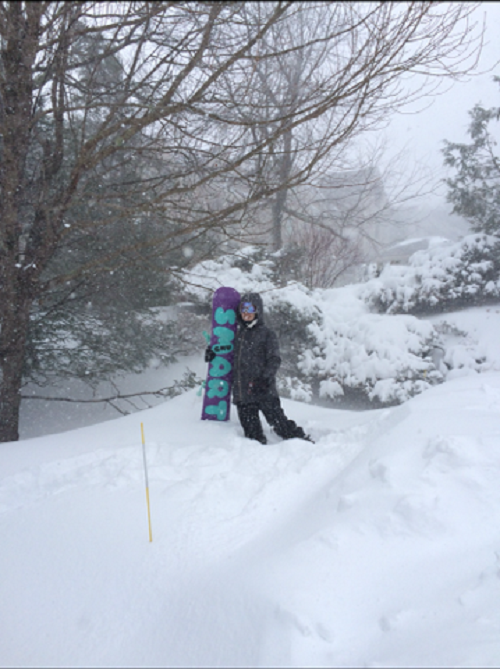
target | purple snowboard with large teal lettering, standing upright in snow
[{"x": 217, "y": 396}]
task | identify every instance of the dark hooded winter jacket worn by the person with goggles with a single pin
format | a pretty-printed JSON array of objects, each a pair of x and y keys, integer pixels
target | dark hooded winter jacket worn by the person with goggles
[{"x": 256, "y": 357}]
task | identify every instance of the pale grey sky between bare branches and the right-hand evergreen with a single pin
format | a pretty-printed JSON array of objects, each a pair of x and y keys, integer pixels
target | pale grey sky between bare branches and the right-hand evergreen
[{"x": 445, "y": 116}]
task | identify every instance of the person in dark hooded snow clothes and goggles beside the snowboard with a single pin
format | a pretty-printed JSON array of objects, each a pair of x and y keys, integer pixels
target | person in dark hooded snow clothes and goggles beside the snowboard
[{"x": 256, "y": 362}]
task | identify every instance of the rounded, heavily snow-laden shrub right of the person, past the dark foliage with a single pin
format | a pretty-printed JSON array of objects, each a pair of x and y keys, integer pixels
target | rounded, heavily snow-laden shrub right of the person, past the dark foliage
[{"x": 383, "y": 359}]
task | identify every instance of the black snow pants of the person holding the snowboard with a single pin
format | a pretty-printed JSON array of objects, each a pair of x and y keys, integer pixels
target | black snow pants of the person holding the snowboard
[{"x": 275, "y": 416}]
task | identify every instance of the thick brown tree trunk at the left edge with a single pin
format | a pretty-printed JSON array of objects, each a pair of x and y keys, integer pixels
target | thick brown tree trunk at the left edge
[{"x": 16, "y": 282}]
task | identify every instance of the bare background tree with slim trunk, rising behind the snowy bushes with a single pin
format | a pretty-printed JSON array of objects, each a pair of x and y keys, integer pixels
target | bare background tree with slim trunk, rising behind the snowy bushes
[{"x": 356, "y": 51}]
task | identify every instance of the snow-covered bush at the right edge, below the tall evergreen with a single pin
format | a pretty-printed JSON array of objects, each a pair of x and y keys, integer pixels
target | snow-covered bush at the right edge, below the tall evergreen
[{"x": 442, "y": 278}]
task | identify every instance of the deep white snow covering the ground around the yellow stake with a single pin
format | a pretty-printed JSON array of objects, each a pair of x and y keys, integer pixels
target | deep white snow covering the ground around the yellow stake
[{"x": 377, "y": 546}]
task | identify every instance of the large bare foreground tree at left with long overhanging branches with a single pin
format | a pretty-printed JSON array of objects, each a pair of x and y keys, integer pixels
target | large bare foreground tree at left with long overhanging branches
[{"x": 88, "y": 88}]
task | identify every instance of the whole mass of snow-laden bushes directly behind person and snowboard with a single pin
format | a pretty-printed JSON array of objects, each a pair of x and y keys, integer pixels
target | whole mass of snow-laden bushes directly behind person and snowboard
[{"x": 332, "y": 348}]
